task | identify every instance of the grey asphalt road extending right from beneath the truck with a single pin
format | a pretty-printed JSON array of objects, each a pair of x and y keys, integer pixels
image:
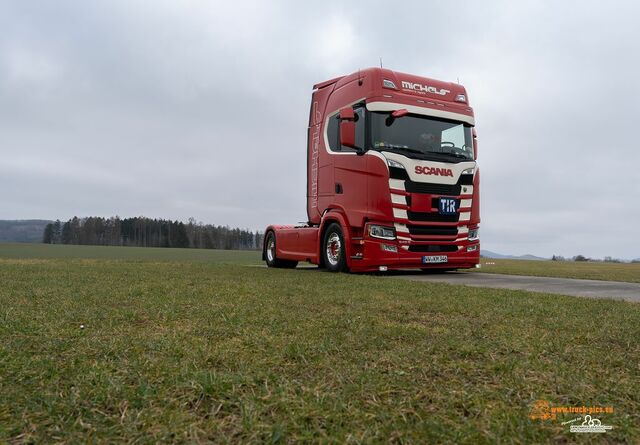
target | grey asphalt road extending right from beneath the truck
[{"x": 562, "y": 286}]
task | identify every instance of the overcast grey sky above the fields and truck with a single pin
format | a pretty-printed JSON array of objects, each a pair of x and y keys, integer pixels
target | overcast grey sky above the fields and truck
[{"x": 179, "y": 109}]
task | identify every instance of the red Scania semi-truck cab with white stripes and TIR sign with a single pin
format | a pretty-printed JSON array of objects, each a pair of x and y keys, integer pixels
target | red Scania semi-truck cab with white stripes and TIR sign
[{"x": 392, "y": 180}]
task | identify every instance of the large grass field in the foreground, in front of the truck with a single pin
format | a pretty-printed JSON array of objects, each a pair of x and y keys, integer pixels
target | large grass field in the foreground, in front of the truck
[{"x": 185, "y": 347}]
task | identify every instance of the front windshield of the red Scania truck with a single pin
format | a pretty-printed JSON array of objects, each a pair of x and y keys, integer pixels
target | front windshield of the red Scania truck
[{"x": 422, "y": 137}]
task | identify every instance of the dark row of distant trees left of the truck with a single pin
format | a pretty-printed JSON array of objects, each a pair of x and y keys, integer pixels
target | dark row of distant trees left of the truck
[{"x": 147, "y": 232}]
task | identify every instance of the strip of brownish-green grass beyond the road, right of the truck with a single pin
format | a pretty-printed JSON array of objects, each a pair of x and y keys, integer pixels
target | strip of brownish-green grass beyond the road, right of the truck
[{"x": 629, "y": 272}]
